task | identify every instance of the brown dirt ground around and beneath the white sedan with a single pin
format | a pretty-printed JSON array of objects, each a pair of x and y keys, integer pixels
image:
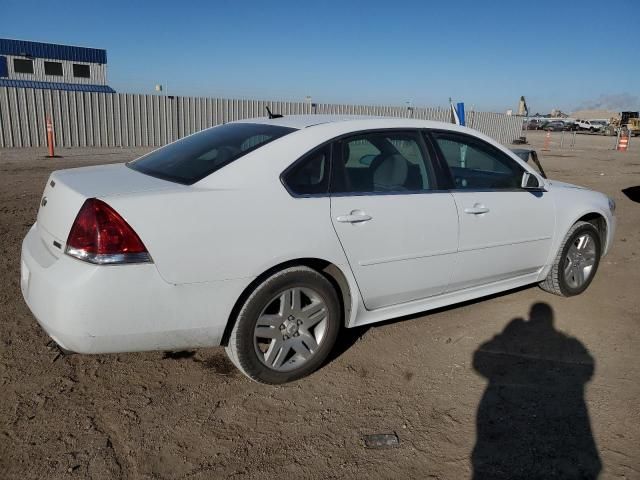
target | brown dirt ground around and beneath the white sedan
[{"x": 556, "y": 392}]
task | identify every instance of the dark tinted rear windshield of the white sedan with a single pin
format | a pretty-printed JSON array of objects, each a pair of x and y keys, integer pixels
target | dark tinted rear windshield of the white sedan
[{"x": 197, "y": 156}]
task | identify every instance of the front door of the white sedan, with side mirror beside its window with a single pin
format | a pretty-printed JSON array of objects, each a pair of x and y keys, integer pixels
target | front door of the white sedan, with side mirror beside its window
[{"x": 505, "y": 230}]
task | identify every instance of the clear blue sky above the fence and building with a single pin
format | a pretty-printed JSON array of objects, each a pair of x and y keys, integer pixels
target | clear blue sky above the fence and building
[{"x": 485, "y": 53}]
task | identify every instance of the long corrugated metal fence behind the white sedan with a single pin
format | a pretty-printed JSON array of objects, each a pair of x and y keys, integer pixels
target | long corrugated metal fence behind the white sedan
[{"x": 82, "y": 119}]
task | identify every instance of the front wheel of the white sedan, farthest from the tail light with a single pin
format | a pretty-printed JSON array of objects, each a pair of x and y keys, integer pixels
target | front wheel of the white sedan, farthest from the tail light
[{"x": 561, "y": 279}]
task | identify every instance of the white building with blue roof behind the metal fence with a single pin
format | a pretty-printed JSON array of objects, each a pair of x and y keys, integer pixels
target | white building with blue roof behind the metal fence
[{"x": 26, "y": 64}]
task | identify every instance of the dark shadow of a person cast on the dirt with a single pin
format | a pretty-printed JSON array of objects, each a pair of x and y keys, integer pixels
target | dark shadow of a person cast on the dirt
[{"x": 532, "y": 421}]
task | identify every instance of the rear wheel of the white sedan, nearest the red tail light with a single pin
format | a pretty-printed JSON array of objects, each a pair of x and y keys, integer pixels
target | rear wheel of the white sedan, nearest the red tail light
[{"x": 272, "y": 359}]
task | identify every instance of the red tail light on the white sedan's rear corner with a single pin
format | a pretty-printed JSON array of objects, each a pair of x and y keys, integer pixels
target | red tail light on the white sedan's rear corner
[{"x": 100, "y": 235}]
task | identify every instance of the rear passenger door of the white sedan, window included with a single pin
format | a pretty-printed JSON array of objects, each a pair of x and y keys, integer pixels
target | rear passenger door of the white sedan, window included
[{"x": 398, "y": 230}]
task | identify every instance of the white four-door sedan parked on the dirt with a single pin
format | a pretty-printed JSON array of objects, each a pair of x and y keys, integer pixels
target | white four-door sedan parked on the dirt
[{"x": 269, "y": 235}]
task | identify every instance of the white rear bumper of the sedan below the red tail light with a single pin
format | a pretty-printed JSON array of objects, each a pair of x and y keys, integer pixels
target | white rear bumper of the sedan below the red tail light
[{"x": 88, "y": 308}]
